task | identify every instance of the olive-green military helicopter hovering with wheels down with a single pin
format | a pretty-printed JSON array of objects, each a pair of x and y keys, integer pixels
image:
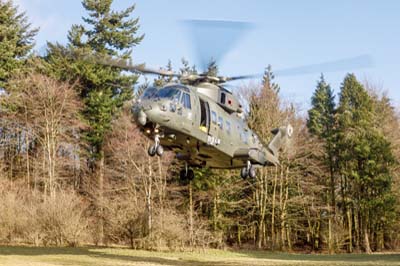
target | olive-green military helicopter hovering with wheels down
[{"x": 203, "y": 122}]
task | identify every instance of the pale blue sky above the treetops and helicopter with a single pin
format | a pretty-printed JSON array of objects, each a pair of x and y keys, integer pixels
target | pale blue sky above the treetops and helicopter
[{"x": 285, "y": 34}]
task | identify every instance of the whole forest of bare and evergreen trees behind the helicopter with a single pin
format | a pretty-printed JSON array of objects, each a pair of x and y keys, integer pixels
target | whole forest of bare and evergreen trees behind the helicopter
[{"x": 74, "y": 169}]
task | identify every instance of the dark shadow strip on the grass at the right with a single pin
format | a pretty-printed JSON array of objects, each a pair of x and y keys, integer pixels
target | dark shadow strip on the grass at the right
[{"x": 320, "y": 257}]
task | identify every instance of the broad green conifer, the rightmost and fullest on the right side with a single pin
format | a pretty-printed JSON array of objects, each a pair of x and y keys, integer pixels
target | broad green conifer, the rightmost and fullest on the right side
[{"x": 365, "y": 158}]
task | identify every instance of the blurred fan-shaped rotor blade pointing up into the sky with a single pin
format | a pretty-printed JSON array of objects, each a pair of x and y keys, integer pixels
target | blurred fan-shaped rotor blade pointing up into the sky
[{"x": 212, "y": 39}]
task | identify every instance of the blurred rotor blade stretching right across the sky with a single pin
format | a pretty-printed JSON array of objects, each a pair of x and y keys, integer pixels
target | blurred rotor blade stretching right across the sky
[{"x": 352, "y": 63}]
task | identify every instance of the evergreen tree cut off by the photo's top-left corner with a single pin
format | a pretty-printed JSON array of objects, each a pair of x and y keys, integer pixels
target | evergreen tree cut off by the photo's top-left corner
[{"x": 16, "y": 39}]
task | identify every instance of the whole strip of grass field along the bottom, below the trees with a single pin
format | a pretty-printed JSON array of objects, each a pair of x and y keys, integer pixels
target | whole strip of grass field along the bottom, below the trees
[{"x": 21, "y": 256}]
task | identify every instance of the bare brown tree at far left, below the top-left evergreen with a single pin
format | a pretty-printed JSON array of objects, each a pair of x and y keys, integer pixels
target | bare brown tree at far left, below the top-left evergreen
[{"x": 47, "y": 112}]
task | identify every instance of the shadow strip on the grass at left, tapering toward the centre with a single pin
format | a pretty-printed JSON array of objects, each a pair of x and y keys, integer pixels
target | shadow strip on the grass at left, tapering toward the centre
[{"x": 96, "y": 253}]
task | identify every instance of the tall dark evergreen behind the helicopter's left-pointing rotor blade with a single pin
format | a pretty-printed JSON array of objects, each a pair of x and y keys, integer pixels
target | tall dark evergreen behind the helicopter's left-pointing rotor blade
[{"x": 104, "y": 89}]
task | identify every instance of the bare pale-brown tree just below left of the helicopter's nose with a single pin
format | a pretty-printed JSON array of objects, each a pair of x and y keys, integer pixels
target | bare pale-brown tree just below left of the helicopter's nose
[{"x": 138, "y": 179}]
